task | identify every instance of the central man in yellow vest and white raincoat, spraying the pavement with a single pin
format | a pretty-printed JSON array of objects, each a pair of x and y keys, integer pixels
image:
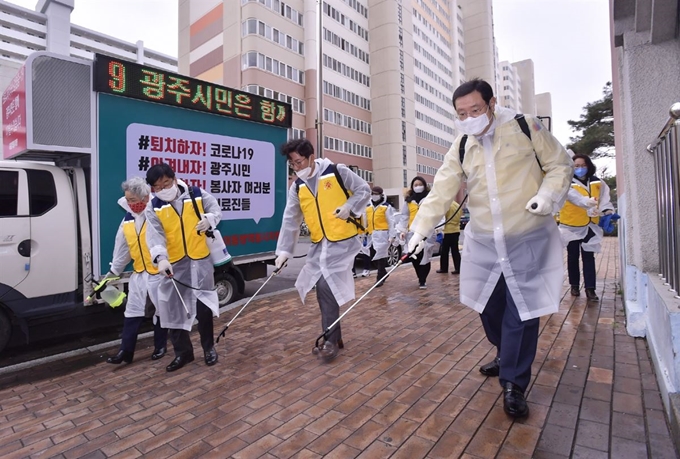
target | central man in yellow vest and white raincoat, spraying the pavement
[{"x": 326, "y": 196}]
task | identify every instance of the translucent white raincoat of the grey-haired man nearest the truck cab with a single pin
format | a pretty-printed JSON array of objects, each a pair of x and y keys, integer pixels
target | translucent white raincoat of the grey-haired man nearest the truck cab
[{"x": 140, "y": 284}]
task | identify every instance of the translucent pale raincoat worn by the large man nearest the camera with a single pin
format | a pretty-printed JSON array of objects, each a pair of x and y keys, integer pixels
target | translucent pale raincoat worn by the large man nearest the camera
[{"x": 502, "y": 236}]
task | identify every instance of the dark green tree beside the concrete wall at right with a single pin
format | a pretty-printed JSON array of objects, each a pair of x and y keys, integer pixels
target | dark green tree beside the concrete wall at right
[{"x": 595, "y": 129}]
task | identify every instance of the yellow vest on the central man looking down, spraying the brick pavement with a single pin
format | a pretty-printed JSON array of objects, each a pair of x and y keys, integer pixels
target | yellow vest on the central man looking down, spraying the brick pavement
[{"x": 319, "y": 210}]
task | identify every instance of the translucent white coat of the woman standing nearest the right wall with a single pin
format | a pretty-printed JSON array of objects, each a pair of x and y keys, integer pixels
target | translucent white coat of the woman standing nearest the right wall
[{"x": 576, "y": 233}]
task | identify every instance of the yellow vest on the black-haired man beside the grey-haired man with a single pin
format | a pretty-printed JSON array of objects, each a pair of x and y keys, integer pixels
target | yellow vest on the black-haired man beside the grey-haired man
[{"x": 180, "y": 231}]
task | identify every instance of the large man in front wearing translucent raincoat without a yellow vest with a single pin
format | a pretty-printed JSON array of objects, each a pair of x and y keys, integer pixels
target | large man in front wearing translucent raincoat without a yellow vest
[{"x": 512, "y": 269}]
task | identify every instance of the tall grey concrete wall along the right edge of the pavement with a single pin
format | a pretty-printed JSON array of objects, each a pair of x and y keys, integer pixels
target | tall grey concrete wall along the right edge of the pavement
[{"x": 645, "y": 60}]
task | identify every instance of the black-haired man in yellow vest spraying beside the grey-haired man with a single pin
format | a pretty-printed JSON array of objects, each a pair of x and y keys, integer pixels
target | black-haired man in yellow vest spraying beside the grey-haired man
[{"x": 182, "y": 255}]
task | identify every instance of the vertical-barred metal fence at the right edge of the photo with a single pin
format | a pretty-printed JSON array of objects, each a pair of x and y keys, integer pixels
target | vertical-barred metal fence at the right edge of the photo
[{"x": 666, "y": 151}]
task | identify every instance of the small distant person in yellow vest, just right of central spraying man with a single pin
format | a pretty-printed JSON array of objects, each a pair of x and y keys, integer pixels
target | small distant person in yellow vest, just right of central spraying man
[{"x": 380, "y": 228}]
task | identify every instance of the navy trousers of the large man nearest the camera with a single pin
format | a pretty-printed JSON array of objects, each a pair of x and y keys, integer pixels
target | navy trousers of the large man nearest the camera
[{"x": 515, "y": 340}]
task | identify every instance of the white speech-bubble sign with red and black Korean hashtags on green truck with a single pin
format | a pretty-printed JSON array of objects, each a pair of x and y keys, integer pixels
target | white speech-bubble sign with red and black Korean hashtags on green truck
[{"x": 238, "y": 172}]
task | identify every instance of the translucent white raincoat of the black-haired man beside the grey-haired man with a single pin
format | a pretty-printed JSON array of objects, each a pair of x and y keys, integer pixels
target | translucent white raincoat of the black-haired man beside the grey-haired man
[{"x": 196, "y": 273}]
